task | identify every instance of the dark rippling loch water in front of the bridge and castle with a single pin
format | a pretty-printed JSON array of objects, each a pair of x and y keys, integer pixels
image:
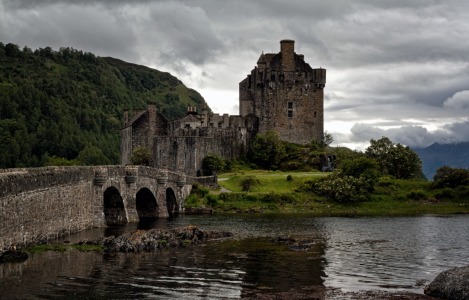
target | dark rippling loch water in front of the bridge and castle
[{"x": 350, "y": 254}]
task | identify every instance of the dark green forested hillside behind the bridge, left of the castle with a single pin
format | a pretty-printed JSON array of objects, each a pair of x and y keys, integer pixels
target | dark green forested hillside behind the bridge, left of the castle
[{"x": 68, "y": 104}]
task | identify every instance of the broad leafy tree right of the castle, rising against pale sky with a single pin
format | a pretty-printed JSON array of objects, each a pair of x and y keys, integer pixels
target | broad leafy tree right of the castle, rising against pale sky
[{"x": 395, "y": 159}]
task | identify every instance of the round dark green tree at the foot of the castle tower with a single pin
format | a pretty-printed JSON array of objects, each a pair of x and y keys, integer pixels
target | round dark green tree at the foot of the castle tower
[{"x": 267, "y": 150}]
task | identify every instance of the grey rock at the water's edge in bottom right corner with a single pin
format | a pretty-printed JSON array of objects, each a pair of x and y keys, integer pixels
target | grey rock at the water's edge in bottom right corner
[{"x": 452, "y": 284}]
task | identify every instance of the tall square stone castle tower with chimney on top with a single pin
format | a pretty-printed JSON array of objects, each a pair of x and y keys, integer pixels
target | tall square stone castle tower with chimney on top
[{"x": 286, "y": 94}]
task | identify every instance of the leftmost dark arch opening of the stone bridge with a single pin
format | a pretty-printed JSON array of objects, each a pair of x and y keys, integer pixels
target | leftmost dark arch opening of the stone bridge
[{"x": 114, "y": 209}]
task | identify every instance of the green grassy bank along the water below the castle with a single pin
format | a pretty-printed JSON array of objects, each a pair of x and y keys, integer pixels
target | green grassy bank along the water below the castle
[{"x": 392, "y": 200}]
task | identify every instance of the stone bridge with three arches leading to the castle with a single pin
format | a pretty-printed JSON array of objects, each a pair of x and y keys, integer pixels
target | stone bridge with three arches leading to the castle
[{"x": 38, "y": 204}]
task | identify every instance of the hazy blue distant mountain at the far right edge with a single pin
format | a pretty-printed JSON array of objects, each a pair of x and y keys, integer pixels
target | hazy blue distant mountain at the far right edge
[{"x": 438, "y": 155}]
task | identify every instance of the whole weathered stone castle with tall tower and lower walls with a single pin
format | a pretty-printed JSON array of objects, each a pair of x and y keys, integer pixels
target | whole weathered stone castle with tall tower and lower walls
[{"x": 282, "y": 94}]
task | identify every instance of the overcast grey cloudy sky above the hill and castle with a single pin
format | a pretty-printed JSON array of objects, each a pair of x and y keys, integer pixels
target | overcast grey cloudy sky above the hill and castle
[{"x": 394, "y": 68}]
